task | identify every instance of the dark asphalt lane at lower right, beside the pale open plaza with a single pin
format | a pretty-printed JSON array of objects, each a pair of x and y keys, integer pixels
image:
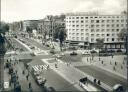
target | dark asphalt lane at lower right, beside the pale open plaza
[{"x": 104, "y": 76}]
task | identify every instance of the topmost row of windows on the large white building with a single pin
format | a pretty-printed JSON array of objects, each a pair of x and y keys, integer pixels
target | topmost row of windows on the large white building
[{"x": 87, "y": 17}]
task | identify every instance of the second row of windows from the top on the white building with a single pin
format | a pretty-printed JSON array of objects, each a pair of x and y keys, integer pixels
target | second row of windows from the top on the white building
[{"x": 95, "y": 21}]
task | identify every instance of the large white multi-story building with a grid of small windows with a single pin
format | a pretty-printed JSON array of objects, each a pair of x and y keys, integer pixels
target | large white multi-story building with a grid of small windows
[{"x": 84, "y": 29}]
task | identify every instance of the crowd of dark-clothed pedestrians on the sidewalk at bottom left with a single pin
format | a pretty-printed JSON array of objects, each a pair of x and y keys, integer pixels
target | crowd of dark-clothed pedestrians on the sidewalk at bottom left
[{"x": 14, "y": 77}]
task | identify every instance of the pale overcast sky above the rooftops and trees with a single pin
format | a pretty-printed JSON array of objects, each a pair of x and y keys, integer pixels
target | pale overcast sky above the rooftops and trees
[{"x": 15, "y": 10}]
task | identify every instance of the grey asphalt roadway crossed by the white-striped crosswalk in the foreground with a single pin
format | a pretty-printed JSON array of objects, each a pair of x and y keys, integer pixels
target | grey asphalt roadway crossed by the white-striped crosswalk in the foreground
[{"x": 53, "y": 79}]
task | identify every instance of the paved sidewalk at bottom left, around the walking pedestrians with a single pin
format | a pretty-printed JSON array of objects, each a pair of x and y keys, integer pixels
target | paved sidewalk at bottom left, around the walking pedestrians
[{"x": 22, "y": 78}]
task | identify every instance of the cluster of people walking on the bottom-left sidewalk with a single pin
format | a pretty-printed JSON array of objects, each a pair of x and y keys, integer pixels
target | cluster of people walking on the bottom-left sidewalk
[{"x": 14, "y": 80}]
